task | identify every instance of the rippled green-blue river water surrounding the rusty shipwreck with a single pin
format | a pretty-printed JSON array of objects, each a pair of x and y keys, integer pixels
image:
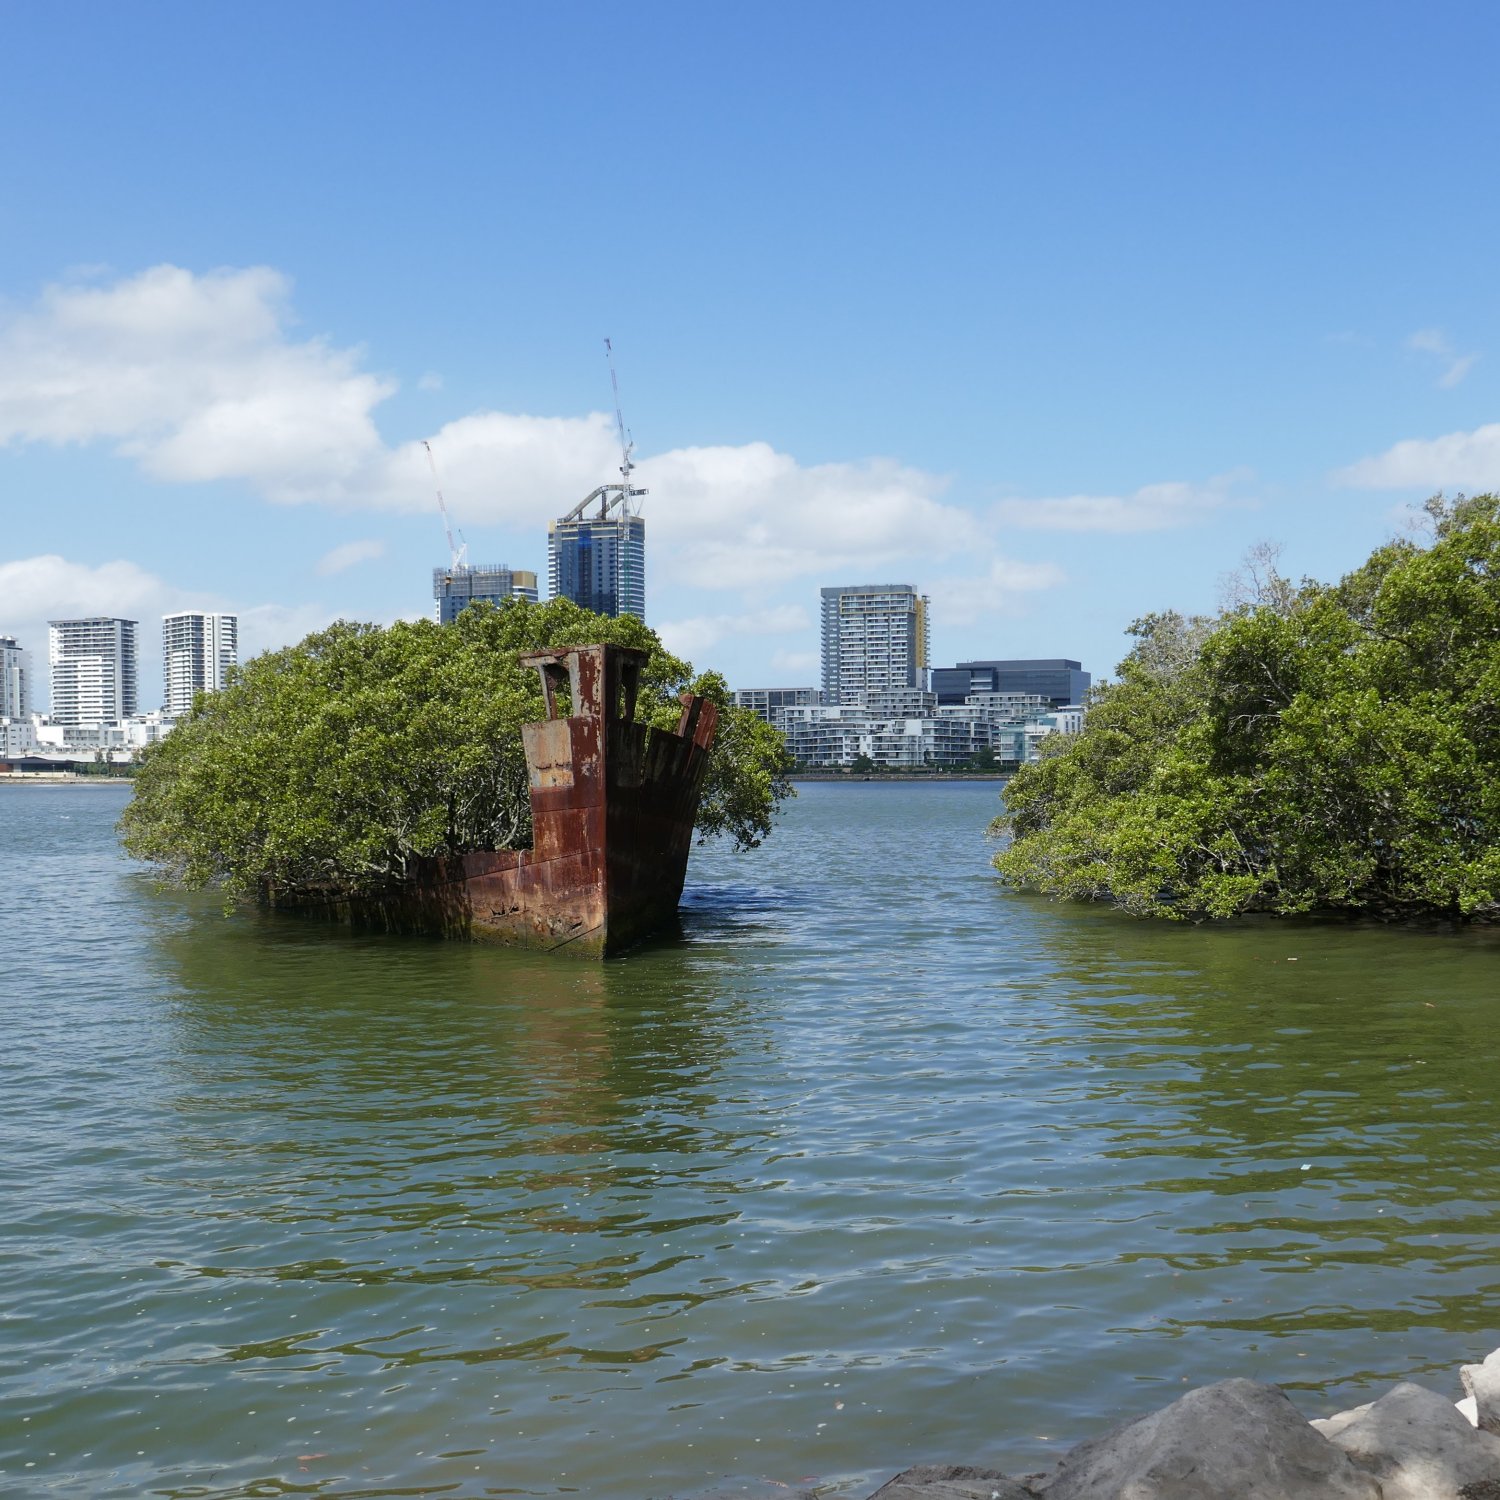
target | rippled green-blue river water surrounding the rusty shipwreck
[{"x": 877, "y": 1165}]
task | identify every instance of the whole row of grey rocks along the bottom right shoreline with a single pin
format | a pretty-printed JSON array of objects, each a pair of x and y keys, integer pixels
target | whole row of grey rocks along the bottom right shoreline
[{"x": 1246, "y": 1441}]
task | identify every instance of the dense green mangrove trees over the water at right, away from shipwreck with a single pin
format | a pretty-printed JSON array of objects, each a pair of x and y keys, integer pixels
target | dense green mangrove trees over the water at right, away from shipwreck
[{"x": 1312, "y": 749}]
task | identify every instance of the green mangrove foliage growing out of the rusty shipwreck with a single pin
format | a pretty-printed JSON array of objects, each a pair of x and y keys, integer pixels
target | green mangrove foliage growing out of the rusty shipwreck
[{"x": 335, "y": 764}]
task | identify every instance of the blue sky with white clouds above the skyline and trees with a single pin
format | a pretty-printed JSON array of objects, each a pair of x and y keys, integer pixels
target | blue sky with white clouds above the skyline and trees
[{"x": 1051, "y": 311}]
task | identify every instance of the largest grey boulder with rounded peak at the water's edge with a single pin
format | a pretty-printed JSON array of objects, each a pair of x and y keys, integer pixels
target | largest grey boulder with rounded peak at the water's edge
[{"x": 1237, "y": 1439}]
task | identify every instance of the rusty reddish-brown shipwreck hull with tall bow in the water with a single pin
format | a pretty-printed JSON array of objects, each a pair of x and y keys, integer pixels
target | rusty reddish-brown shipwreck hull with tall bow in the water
[{"x": 613, "y": 808}]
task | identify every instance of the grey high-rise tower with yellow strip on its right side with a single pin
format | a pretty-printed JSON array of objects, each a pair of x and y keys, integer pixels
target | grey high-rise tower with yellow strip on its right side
[{"x": 877, "y": 640}]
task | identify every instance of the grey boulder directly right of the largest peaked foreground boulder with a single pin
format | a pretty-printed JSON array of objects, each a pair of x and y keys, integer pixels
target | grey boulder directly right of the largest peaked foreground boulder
[{"x": 1421, "y": 1448}]
